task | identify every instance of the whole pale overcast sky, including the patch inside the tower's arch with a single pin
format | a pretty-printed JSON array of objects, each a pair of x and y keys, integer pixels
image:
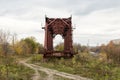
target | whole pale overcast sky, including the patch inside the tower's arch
[{"x": 96, "y": 21}]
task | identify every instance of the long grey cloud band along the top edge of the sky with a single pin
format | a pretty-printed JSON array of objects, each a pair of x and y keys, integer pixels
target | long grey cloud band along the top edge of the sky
[{"x": 76, "y": 7}]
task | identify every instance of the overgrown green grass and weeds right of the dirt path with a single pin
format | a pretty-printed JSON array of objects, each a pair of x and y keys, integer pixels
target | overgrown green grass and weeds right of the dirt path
[{"x": 84, "y": 65}]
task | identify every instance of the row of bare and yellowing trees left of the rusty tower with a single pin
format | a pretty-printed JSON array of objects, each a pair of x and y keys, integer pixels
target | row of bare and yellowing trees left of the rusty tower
[{"x": 10, "y": 45}]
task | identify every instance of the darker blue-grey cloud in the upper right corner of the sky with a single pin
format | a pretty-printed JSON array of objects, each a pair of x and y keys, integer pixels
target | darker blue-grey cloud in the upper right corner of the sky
[{"x": 97, "y": 5}]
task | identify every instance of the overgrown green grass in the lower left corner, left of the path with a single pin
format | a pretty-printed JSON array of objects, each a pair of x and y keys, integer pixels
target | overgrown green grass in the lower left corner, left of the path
[{"x": 12, "y": 70}]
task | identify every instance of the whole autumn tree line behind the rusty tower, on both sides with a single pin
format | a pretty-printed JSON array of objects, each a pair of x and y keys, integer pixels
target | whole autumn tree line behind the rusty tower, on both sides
[{"x": 9, "y": 44}]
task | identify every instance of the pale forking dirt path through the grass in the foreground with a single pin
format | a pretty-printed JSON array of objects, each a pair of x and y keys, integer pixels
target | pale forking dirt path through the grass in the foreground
[{"x": 50, "y": 72}]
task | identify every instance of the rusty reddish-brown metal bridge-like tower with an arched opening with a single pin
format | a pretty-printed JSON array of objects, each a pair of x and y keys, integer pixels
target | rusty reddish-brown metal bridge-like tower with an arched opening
[{"x": 53, "y": 27}]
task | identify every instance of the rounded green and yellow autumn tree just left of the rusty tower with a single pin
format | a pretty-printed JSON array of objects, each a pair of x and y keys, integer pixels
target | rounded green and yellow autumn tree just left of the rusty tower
[{"x": 28, "y": 46}]
